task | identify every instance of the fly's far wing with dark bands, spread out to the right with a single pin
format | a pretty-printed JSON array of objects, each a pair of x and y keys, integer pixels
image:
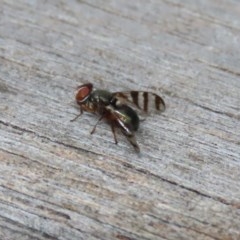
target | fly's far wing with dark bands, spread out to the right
[{"x": 145, "y": 101}]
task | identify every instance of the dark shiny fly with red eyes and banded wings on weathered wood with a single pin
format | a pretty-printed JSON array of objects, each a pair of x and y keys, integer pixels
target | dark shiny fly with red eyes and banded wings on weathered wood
[{"x": 116, "y": 109}]
